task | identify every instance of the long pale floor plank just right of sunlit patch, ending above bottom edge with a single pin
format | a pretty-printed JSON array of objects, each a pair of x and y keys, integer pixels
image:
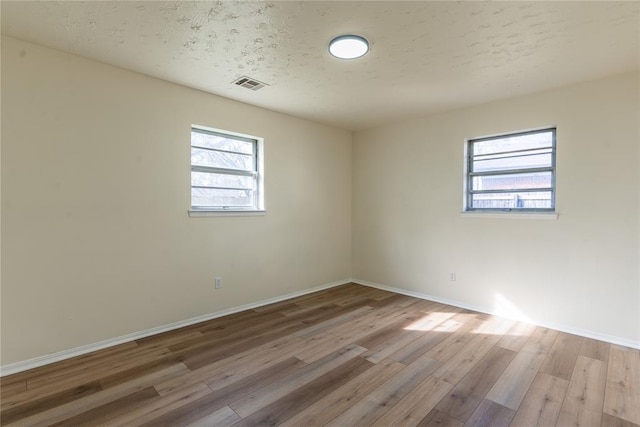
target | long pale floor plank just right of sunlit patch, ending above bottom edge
[{"x": 514, "y": 382}]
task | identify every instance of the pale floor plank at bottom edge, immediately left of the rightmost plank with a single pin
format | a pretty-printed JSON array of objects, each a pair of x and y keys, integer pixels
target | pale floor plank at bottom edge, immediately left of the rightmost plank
[{"x": 585, "y": 396}]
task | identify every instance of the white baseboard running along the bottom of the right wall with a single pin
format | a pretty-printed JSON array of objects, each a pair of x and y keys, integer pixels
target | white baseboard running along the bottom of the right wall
[{"x": 550, "y": 325}]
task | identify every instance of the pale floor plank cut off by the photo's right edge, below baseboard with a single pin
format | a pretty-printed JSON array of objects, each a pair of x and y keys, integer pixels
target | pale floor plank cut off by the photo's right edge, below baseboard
[{"x": 622, "y": 398}]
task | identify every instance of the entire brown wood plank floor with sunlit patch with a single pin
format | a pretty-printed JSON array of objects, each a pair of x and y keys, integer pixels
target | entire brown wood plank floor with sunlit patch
[{"x": 348, "y": 356}]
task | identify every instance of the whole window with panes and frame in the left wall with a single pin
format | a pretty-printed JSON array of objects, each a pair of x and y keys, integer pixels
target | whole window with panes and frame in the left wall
[{"x": 226, "y": 171}]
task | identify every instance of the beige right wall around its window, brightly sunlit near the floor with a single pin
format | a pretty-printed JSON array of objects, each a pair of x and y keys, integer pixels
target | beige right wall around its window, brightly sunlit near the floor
[{"x": 579, "y": 272}]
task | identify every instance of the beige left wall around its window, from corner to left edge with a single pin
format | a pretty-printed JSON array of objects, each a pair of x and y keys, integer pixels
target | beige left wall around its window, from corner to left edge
[{"x": 96, "y": 240}]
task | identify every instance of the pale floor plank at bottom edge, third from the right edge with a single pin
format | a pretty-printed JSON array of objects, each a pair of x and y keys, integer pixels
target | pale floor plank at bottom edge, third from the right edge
[{"x": 542, "y": 403}]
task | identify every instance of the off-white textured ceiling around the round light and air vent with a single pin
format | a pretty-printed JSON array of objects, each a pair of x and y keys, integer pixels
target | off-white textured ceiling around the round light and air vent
[{"x": 426, "y": 57}]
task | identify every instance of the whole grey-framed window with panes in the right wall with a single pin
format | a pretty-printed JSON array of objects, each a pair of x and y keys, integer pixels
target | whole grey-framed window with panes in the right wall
[{"x": 514, "y": 172}]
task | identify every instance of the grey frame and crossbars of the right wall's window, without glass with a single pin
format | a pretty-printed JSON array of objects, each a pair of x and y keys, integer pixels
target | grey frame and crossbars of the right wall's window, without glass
[{"x": 494, "y": 212}]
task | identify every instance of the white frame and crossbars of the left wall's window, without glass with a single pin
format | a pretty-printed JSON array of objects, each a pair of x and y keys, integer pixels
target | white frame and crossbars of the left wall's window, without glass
[{"x": 257, "y": 172}]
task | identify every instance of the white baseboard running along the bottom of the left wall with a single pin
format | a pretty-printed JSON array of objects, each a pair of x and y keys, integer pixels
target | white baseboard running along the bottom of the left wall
[{"x": 47, "y": 359}]
